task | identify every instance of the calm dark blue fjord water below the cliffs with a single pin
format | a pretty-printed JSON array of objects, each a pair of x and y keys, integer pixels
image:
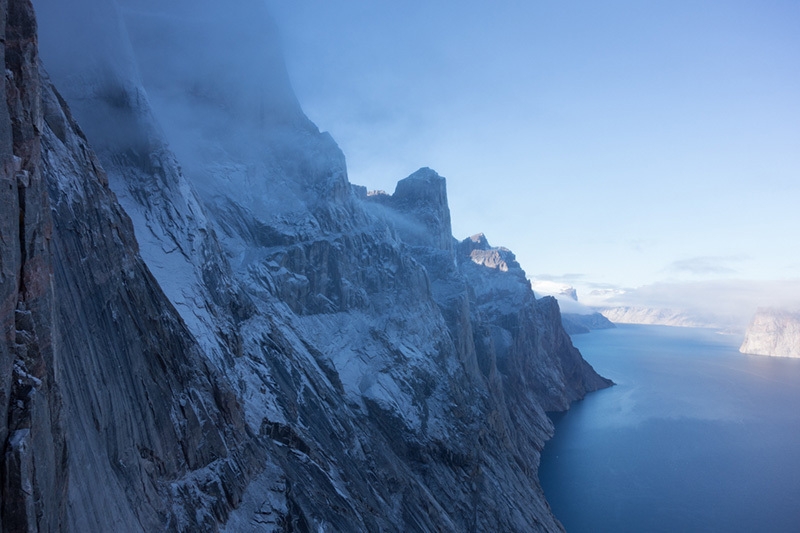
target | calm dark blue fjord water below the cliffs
[{"x": 694, "y": 437}]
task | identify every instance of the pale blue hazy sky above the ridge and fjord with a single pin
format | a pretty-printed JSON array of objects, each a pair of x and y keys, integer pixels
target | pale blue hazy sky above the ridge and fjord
[{"x": 615, "y": 144}]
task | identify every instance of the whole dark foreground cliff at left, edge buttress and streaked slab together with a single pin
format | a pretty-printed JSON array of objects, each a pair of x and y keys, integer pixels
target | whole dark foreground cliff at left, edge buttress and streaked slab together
[{"x": 115, "y": 421}]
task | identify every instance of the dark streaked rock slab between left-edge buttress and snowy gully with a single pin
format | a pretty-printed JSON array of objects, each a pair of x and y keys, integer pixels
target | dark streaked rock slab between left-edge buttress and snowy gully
[{"x": 144, "y": 410}]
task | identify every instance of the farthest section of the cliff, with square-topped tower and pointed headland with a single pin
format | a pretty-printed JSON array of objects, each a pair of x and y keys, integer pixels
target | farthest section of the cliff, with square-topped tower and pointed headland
[{"x": 510, "y": 344}]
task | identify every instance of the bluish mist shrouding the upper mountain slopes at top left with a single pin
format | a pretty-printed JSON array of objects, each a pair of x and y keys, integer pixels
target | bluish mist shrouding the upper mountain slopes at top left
[{"x": 210, "y": 79}]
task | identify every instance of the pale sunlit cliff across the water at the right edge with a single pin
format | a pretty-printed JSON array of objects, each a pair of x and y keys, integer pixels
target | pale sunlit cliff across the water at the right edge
[{"x": 773, "y": 332}]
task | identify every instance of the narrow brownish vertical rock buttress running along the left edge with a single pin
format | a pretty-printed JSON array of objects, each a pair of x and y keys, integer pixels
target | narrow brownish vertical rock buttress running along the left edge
[{"x": 31, "y": 436}]
